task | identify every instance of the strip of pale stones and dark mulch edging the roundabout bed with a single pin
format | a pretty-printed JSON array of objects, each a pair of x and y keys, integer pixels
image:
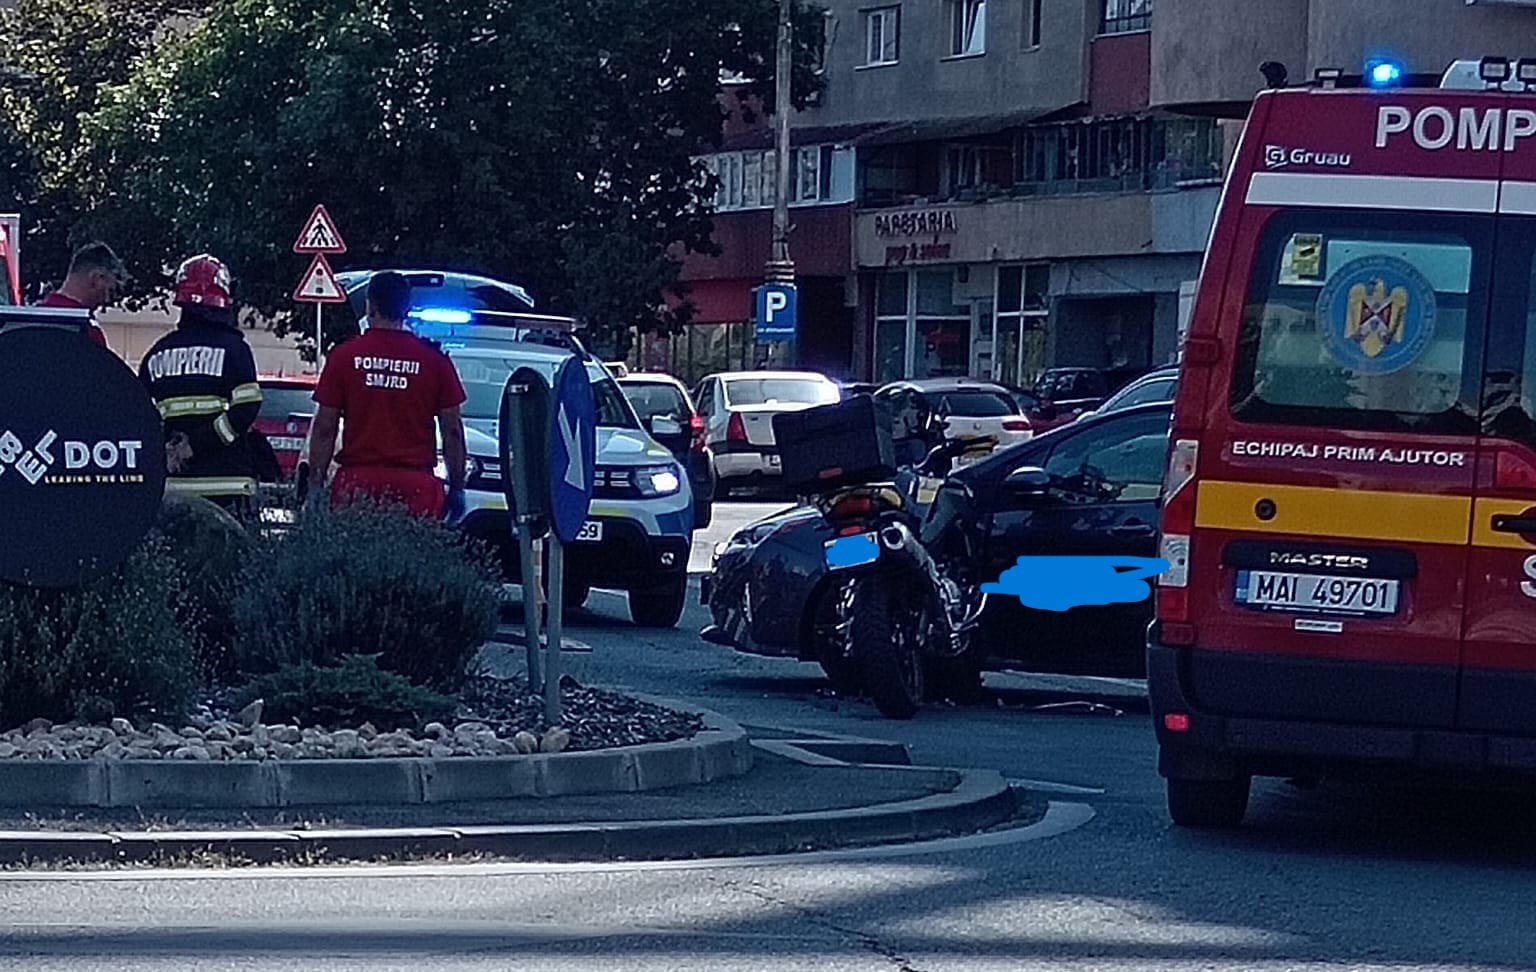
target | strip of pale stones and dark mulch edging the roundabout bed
[{"x": 495, "y": 718}]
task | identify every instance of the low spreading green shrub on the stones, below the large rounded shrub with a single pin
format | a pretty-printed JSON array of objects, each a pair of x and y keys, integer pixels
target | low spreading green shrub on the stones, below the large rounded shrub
[{"x": 349, "y": 695}]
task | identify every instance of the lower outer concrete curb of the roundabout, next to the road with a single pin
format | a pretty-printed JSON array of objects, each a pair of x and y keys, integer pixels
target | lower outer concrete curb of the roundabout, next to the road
[{"x": 979, "y": 801}]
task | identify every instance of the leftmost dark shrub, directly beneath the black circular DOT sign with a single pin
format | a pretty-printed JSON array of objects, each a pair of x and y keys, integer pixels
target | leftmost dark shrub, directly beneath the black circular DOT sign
[{"x": 111, "y": 649}]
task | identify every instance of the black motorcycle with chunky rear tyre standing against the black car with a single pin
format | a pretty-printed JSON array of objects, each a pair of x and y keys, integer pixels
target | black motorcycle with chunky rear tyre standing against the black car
[{"x": 905, "y": 598}]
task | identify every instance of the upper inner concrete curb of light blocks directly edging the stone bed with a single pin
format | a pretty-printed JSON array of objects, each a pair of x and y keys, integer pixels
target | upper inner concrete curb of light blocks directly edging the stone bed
[{"x": 718, "y": 753}]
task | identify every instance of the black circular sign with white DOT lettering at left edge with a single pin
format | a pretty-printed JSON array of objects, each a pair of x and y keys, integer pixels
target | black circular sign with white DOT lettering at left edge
[{"x": 82, "y": 458}]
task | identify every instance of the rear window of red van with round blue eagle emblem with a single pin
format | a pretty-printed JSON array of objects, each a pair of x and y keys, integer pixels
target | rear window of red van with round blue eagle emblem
[{"x": 1363, "y": 323}]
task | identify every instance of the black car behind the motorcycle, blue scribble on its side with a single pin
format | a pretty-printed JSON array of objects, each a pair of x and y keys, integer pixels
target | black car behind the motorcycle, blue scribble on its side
[{"x": 767, "y": 590}]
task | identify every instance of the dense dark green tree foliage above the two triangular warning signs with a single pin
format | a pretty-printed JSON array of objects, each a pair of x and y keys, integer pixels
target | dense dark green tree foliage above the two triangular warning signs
[{"x": 548, "y": 142}]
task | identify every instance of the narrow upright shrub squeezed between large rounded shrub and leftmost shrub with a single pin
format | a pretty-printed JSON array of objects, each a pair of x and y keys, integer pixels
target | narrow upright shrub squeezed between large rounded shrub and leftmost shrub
[{"x": 214, "y": 552}]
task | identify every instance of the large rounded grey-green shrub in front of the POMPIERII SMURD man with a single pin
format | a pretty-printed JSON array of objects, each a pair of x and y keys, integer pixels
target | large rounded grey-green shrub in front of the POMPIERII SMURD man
[{"x": 368, "y": 581}]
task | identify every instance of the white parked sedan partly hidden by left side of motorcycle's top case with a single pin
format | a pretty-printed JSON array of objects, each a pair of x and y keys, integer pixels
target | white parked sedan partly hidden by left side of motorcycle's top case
[{"x": 738, "y": 412}]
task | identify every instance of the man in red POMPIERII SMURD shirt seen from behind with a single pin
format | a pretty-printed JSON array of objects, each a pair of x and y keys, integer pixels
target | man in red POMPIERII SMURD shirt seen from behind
[{"x": 385, "y": 391}]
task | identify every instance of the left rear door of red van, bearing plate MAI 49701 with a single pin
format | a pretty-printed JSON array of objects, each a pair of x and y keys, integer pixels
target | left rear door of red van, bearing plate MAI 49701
[{"x": 1337, "y": 495}]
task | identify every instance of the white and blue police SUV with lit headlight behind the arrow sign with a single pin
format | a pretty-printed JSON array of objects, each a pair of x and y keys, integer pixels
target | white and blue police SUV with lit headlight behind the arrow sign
[{"x": 640, "y": 529}]
